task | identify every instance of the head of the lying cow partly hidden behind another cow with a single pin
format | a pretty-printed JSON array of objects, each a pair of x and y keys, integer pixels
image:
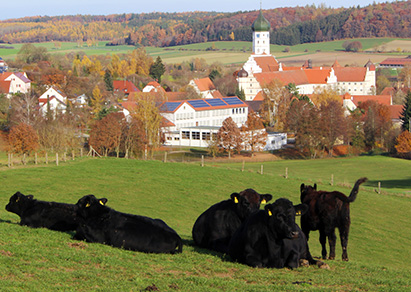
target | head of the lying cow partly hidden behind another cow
[{"x": 249, "y": 201}]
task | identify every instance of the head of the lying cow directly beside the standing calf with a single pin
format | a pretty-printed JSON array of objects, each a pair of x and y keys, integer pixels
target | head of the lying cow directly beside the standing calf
[{"x": 281, "y": 217}]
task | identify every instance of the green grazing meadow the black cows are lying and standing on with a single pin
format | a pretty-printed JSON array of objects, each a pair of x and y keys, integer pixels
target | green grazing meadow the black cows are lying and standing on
[{"x": 44, "y": 260}]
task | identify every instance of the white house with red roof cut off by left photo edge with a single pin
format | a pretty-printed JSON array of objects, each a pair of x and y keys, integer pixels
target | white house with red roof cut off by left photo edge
[{"x": 14, "y": 82}]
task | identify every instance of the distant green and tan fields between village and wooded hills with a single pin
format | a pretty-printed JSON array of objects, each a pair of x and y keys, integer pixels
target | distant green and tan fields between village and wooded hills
[{"x": 238, "y": 52}]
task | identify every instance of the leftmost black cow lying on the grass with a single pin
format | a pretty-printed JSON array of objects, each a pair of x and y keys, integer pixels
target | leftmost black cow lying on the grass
[{"x": 51, "y": 215}]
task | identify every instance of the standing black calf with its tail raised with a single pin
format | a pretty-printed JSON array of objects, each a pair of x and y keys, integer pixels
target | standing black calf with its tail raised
[{"x": 327, "y": 211}]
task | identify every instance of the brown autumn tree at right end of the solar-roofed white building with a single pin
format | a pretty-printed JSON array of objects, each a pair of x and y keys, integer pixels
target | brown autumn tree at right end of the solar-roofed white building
[{"x": 253, "y": 133}]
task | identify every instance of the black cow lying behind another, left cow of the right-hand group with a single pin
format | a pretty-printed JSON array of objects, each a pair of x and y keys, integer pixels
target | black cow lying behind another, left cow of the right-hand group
[{"x": 213, "y": 228}]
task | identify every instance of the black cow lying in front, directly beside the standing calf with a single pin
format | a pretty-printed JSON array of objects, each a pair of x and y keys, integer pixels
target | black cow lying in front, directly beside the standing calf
[{"x": 270, "y": 238}]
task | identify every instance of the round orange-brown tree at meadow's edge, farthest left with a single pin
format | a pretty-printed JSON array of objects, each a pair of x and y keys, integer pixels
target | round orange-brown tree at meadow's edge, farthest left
[{"x": 23, "y": 139}]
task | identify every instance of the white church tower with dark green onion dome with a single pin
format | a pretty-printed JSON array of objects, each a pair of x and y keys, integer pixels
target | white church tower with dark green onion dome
[{"x": 261, "y": 35}]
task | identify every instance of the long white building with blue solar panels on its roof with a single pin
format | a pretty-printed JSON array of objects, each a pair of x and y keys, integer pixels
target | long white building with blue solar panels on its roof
[{"x": 195, "y": 122}]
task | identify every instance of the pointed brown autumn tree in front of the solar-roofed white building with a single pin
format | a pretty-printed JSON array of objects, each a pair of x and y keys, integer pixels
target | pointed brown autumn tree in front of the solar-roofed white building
[{"x": 229, "y": 137}]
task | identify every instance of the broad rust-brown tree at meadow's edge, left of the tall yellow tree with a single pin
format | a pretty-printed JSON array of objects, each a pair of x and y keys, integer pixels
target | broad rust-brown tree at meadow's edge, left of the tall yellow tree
[{"x": 105, "y": 135}]
